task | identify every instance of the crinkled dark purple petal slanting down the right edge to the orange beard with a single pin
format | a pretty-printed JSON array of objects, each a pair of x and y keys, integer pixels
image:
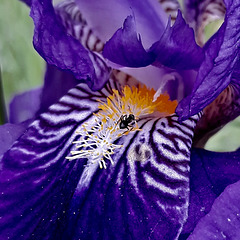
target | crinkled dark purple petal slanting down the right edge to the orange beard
[{"x": 221, "y": 60}]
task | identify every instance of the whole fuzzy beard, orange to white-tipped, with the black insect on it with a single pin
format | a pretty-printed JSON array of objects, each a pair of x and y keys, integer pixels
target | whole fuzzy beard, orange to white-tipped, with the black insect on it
[{"x": 116, "y": 117}]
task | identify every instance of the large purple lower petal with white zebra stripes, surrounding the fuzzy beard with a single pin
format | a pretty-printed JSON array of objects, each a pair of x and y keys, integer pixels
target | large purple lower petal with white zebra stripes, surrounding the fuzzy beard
[{"x": 144, "y": 195}]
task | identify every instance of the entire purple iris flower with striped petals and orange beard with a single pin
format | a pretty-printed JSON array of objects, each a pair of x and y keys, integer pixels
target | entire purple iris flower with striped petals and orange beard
[{"x": 108, "y": 152}]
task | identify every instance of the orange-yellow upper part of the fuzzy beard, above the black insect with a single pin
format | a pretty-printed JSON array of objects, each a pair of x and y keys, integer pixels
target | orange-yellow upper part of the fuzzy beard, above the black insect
[{"x": 137, "y": 101}]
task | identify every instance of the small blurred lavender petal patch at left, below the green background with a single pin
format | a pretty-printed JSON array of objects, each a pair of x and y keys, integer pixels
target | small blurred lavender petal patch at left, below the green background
[{"x": 24, "y": 106}]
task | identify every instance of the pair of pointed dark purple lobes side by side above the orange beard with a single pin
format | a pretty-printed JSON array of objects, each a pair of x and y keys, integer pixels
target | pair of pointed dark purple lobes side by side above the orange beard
[{"x": 176, "y": 48}]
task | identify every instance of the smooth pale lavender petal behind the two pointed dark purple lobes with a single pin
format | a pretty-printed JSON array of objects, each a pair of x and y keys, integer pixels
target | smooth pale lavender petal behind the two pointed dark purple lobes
[{"x": 150, "y": 18}]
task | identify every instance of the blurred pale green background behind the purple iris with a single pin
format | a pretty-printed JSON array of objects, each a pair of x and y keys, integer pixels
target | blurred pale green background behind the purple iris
[{"x": 22, "y": 68}]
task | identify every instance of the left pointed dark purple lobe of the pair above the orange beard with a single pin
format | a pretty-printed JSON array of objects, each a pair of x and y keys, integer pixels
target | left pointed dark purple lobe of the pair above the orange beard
[{"x": 125, "y": 47}]
